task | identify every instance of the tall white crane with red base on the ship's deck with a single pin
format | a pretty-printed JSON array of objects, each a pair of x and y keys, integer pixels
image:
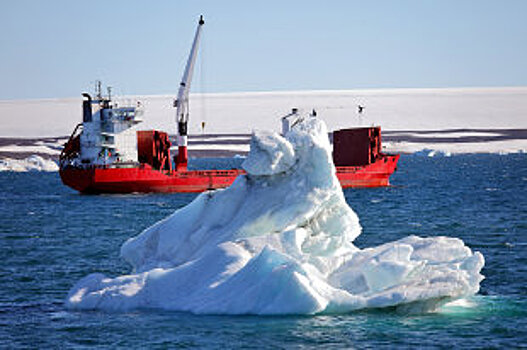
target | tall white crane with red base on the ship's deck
[{"x": 181, "y": 102}]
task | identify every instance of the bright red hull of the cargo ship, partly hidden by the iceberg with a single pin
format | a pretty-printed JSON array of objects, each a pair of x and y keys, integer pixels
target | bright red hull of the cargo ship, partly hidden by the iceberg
[{"x": 144, "y": 179}]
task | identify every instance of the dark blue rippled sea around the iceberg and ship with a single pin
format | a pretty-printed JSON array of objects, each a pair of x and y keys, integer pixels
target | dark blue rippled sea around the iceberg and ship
[{"x": 50, "y": 237}]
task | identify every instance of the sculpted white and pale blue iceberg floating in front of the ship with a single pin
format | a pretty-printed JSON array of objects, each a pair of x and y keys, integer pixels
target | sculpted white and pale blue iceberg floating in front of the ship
[{"x": 279, "y": 241}]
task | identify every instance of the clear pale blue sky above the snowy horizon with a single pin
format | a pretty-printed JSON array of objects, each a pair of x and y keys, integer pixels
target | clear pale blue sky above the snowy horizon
[{"x": 58, "y": 48}]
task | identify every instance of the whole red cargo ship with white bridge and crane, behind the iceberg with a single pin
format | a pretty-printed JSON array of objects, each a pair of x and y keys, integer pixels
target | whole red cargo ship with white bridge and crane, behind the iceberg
[{"x": 106, "y": 153}]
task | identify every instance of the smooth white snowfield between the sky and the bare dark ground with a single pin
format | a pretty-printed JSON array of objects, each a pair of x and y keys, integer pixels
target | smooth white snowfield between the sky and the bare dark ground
[{"x": 240, "y": 113}]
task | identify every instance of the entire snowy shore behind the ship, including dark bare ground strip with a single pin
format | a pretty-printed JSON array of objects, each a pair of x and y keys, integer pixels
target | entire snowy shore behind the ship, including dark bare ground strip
[{"x": 449, "y": 121}]
